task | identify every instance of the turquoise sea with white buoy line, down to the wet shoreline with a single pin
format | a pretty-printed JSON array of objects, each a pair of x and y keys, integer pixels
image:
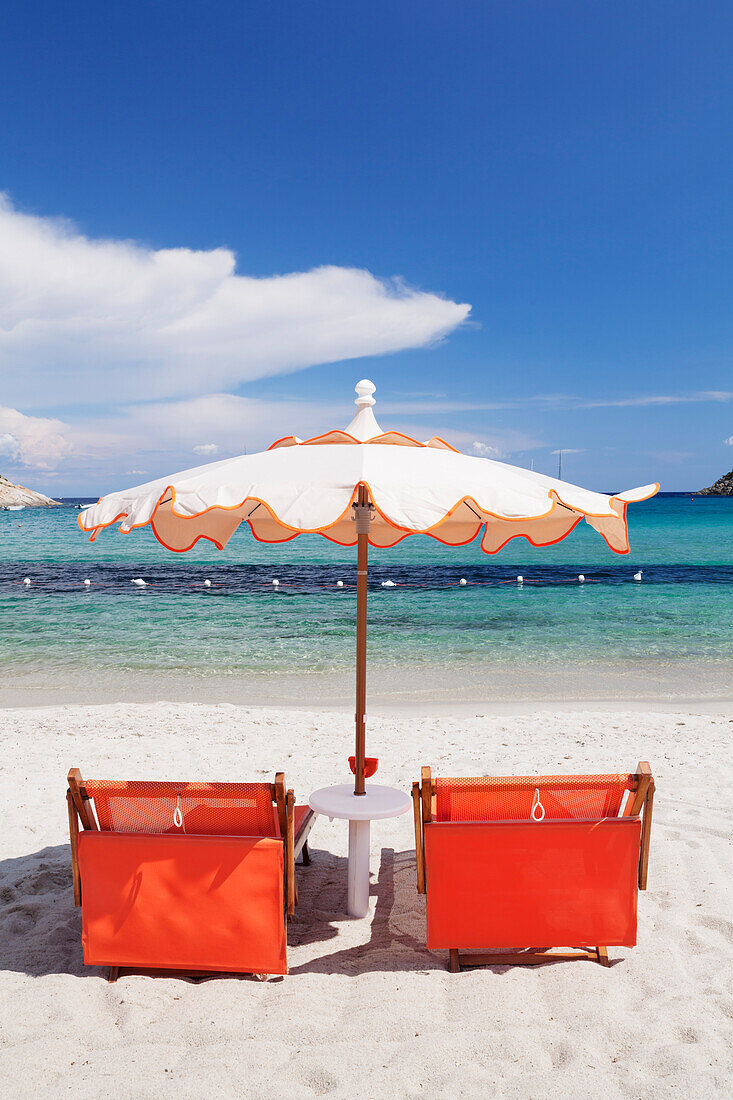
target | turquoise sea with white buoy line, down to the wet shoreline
[{"x": 670, "y": 635}]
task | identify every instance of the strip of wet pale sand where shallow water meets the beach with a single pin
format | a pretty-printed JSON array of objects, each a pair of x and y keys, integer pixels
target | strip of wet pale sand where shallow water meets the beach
[{"x": 607, "y": 685}]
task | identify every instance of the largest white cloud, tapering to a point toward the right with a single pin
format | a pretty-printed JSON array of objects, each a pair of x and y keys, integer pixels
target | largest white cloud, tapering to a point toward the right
[{"x": 83, "y": 318}]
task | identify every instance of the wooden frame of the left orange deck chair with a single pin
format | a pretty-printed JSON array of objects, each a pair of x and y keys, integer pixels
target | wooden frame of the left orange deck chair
[{"x": 81, "y": 811}]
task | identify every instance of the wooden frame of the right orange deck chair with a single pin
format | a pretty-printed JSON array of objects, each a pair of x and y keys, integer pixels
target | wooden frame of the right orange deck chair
[{"x": 641, "y": 800}]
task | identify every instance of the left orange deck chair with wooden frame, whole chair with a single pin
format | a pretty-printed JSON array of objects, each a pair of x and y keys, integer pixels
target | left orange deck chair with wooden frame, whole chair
[{"x": 185, "y": 877}]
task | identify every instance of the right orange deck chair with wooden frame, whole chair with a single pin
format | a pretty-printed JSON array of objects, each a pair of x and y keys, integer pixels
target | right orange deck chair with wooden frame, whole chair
[{"x": 513, "y": 863}]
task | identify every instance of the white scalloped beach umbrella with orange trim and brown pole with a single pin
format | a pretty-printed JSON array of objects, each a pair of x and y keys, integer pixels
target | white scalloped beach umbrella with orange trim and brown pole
[{"x": 364, "y": 487}]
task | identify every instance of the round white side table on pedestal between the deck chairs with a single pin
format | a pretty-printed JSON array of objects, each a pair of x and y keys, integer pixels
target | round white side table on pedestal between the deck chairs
[{"x": 359, "y": 810}]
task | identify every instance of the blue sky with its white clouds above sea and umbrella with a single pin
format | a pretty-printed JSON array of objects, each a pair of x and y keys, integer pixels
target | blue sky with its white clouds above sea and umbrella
[{"x": 561, "y": 169}]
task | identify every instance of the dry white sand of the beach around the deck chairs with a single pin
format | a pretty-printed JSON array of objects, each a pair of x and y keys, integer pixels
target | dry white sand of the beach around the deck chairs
[{"x": 367, "y": 1011}]
